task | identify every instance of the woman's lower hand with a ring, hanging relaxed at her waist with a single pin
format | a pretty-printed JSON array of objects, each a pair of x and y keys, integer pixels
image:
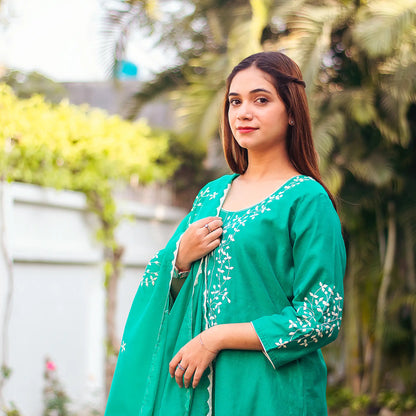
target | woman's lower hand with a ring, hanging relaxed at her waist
[{"x": 192, "y": 360}]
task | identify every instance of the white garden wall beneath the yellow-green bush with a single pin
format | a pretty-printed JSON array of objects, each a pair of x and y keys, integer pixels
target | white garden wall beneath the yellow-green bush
[{"x": 58, "y": 295}]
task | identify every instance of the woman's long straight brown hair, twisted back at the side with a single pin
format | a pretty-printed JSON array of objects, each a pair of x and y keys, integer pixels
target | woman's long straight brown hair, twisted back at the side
[{"x": 287, "y": 79}]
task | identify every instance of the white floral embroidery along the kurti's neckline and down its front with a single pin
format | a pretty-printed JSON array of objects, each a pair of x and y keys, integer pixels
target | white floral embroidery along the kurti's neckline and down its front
[{"x": 218, "y": 294}]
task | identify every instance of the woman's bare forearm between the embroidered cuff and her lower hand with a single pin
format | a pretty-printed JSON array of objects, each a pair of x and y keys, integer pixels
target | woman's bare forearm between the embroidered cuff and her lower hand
[{"x": 239, "y": 336}]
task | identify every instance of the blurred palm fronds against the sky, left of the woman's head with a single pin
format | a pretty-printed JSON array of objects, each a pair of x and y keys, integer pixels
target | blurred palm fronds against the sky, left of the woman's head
[{"x": 206, "y": 36}]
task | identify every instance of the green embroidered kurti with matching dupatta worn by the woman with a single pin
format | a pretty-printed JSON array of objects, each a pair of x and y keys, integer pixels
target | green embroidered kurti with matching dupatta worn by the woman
[{"x": 280, "y": 266}]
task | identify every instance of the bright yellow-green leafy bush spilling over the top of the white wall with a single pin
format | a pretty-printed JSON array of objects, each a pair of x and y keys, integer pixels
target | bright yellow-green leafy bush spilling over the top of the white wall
[{"x": 76, "y": 148}]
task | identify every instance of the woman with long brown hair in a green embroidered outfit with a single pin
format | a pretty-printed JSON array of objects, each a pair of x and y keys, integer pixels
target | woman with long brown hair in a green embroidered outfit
[{"x": 230, "y": 317}]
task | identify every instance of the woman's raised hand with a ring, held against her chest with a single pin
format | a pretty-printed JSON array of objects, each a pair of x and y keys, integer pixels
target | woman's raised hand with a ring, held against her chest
[{"x": 198, "y": 240}]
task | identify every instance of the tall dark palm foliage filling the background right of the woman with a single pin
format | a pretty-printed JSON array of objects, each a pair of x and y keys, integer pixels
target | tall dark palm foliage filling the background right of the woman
[{"x": 361, "y": 94}]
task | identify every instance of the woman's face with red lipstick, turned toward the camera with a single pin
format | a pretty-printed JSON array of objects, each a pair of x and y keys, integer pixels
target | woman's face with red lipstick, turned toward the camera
[{"x": 257, "y": 116}]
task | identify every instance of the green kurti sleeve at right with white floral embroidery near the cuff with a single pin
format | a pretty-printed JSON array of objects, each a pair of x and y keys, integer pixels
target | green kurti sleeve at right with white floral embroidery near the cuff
[{"x": 312, "y": 318}]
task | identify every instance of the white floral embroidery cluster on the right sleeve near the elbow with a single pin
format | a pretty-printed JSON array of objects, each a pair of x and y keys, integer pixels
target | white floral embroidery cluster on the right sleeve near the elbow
[{"x": 319, "y": 316}]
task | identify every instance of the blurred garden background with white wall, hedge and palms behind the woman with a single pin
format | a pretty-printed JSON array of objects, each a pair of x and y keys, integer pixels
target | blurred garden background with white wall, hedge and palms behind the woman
[{"x": 109, "y": 119}]
